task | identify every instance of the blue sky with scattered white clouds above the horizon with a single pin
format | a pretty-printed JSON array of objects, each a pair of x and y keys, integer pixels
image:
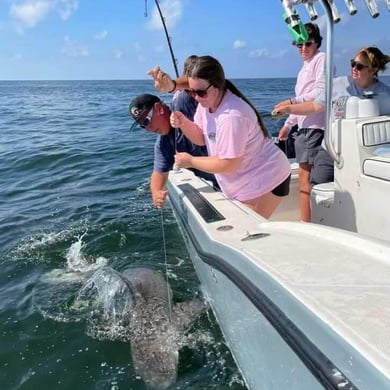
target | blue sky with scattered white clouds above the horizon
[{"x": 122, "y": 39}]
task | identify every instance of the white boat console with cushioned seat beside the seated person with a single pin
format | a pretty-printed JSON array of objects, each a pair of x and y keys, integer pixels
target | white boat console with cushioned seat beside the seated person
[{"x": 357, "y": 199}]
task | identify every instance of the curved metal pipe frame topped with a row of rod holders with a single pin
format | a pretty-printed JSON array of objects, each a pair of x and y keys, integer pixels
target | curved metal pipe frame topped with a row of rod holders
[{"x": 332, "y": 17}]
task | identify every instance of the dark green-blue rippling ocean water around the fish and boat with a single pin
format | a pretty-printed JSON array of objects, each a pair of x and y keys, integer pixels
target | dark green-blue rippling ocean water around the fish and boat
[{"x": 74, "y": 201}]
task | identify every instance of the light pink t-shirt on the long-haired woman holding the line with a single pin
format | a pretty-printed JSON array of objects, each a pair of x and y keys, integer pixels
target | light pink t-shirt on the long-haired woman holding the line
[{"x": 233, "y": 131}]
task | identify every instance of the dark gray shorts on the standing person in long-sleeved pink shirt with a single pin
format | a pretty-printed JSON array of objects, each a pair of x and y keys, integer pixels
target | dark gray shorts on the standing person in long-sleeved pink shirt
[{"x": 307, "y": 144}]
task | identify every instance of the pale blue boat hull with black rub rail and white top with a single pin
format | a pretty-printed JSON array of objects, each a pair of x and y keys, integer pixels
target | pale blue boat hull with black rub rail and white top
[{"x": 274, "y": 301}]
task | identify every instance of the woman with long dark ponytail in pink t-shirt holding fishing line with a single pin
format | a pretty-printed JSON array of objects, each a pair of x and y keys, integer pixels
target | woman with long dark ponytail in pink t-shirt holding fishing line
[{"x": 247, "y": 164}]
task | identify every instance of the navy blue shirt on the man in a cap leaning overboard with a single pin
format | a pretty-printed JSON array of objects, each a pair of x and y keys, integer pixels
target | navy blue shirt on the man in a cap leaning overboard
[{"x": 164, "y": 148}]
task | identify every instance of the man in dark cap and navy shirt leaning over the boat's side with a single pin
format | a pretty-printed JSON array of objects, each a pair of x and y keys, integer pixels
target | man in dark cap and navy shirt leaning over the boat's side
[{"x": 152, "y": 114}]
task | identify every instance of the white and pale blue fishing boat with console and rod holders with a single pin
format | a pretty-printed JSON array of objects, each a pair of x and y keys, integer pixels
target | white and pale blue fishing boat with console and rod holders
[{"x": 302, "y": 305}]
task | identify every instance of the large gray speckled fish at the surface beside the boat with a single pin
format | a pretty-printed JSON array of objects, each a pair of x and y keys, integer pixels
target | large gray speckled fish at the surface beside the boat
[{"x": 156, "y": 326}]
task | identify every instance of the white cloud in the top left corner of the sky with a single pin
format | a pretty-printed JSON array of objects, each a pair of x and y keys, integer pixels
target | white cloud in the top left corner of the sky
[{"x": 31, "y": 12}]
